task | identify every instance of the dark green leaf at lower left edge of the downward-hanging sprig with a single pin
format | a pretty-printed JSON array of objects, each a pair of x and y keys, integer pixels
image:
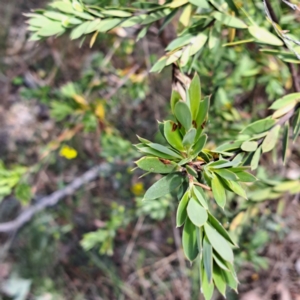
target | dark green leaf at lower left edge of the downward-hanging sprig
[{"x": 189, "y": 240}]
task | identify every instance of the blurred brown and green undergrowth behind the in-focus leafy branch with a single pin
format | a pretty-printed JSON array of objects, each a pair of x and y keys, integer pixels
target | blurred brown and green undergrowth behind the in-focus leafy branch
[{"x": 64, "y": 110}]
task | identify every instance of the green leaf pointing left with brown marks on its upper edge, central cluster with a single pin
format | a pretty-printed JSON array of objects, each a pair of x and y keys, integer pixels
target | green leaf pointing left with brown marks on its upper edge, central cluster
[{"x": 156, "y": 165}]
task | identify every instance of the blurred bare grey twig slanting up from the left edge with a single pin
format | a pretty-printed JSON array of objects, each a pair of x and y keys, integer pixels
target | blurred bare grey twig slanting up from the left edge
[{"x": 54, "y": 198}]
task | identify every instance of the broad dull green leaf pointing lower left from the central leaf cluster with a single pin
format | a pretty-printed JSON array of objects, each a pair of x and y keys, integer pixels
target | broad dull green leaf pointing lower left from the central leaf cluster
[{"x": 164, "y": 186}]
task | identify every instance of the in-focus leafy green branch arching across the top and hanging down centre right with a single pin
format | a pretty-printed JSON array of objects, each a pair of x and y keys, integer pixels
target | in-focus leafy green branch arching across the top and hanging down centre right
[{"x": 191, "y": 170}]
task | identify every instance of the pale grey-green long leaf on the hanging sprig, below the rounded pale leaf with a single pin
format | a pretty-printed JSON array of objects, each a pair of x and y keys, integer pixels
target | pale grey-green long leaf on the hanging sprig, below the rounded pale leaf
[{"x": 219, "y": 243}]
